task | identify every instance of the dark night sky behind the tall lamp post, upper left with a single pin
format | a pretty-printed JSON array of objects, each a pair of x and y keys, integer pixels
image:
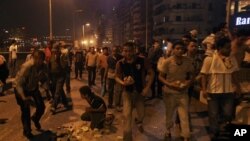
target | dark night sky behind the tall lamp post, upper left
[{"x": 34, "y": 14}]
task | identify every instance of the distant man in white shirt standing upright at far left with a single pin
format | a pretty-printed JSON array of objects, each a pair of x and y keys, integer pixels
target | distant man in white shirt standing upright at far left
[{"x": 12, "y": 58}]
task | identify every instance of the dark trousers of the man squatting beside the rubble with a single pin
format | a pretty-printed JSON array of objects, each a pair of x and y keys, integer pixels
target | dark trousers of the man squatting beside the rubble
[{"x": 96, "y": 119}]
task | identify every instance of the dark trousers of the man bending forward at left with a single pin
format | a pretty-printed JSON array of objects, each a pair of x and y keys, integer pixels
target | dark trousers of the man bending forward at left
[{"x": 25, "y": 108}]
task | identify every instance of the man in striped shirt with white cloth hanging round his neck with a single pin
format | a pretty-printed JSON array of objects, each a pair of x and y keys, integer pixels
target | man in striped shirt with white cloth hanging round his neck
[{"x": 218, "y": 83}]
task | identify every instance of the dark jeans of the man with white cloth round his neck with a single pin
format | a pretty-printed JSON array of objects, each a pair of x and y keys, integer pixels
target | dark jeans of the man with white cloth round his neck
[{"x": 220, "y": 106}]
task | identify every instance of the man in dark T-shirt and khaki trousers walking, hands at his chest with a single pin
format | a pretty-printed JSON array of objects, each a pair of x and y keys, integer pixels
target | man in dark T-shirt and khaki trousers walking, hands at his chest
[{"x": 131, "y": 74}]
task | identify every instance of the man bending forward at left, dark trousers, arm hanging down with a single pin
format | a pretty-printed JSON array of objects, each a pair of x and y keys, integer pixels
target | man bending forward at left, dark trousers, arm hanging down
[{"x": 26, "y": 87}]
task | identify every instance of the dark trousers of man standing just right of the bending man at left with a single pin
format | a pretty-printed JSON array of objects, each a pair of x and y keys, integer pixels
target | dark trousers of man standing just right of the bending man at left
[{"x": 57, "y": 86}]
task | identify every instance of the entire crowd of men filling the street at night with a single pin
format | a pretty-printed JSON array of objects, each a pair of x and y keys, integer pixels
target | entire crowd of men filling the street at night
[{"x": 169, "y": 70}]
